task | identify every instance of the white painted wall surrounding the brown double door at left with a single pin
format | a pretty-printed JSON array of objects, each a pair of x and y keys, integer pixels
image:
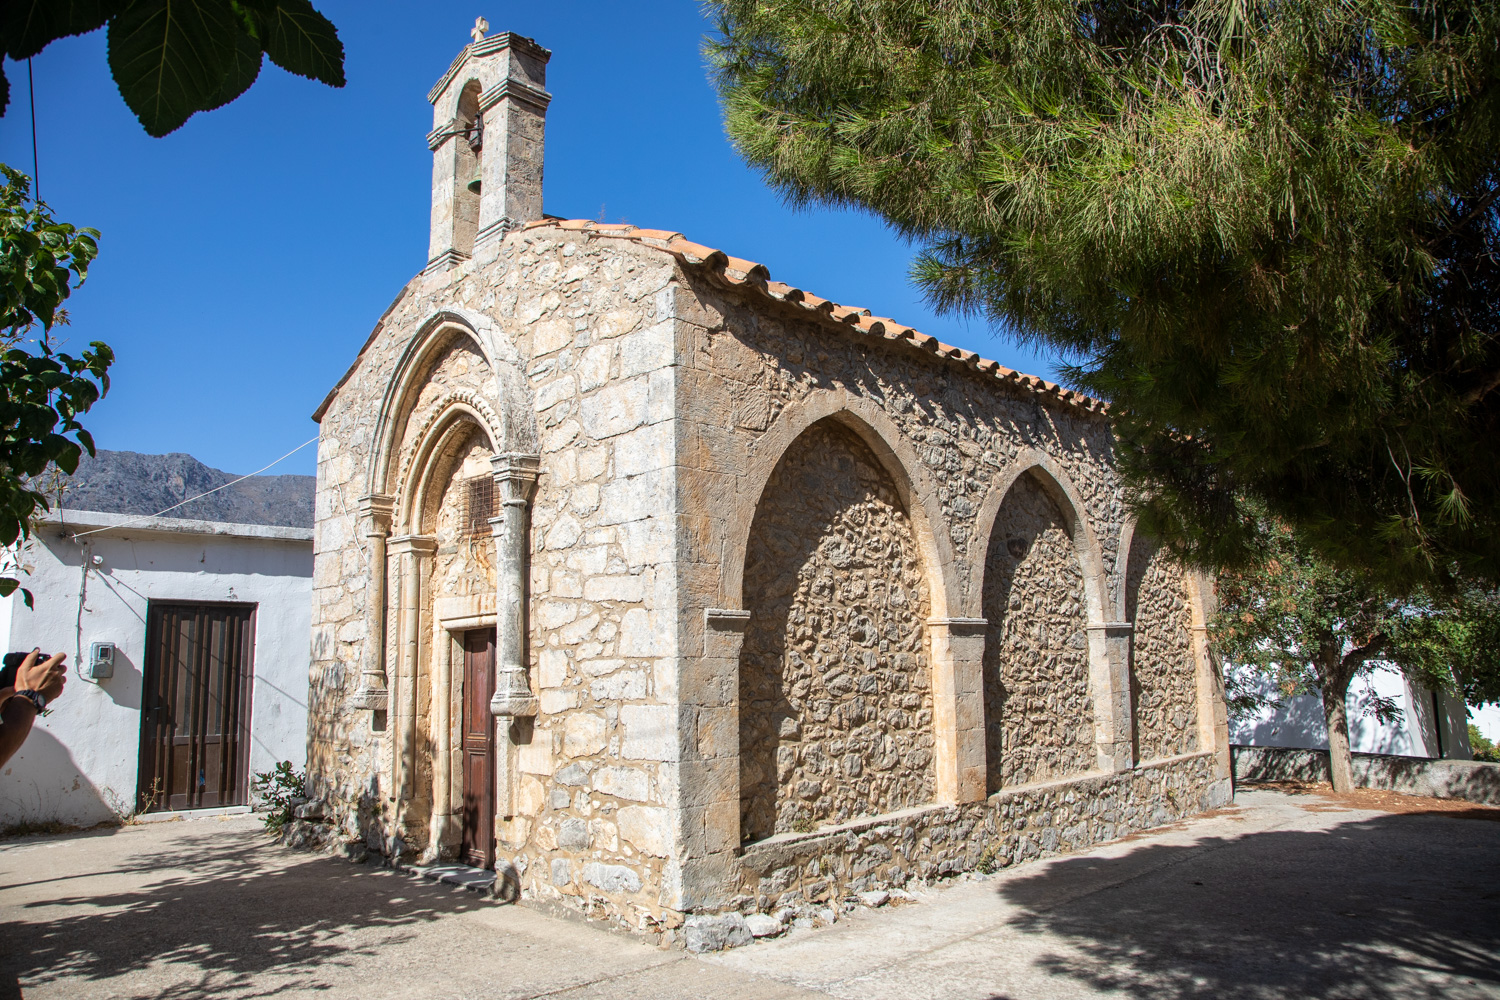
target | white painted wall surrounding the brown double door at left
[{"x": 80, "y": 762}]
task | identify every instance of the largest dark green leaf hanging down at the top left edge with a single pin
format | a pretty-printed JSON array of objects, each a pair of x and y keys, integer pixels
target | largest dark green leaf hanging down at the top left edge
[{"x": 170, "y": 58}]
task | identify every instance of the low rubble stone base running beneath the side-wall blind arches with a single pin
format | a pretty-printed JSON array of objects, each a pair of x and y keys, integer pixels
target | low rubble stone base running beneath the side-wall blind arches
[{"x": 809, "y": 870}]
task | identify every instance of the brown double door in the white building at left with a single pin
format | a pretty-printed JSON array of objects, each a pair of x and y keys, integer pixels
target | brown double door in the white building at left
[{"x": 196, "y": 707}]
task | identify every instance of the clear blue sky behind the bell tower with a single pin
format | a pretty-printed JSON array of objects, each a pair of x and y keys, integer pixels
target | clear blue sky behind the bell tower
[{"x": 247, "y": 257}]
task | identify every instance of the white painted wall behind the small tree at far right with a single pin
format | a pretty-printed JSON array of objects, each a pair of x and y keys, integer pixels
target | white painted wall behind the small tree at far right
[{"x": 1300, "y": 720}]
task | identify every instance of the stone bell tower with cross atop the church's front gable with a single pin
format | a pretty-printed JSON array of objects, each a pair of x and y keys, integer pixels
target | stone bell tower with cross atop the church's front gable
[{"x": 488, "y": 134}]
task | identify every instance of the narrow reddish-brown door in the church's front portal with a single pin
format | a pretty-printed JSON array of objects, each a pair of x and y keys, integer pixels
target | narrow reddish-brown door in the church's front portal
[{"x": 479, "y": 750}]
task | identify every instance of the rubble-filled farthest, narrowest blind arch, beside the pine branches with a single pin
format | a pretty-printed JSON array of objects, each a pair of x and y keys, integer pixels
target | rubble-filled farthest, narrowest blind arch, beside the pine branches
[{"x": 1163, "y": 669}]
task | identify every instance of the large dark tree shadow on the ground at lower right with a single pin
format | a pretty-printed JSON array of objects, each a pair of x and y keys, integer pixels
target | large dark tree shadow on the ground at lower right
[{"x": 1381, "y": 909}]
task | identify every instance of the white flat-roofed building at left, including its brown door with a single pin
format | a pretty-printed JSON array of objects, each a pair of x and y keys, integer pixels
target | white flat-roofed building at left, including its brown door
[{"x": 205, "y": 627}]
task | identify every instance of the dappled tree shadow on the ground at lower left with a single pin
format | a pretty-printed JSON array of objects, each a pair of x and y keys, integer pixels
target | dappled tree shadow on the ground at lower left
[{"x": 226, "y": 911}]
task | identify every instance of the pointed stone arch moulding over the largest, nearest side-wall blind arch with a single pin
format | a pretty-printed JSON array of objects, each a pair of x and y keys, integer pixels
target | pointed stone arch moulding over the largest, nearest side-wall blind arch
[{"x": 898, "y": 458}]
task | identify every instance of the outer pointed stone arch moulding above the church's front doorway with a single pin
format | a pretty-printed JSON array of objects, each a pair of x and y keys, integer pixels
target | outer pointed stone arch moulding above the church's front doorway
[{"x": 515, "y": 433}]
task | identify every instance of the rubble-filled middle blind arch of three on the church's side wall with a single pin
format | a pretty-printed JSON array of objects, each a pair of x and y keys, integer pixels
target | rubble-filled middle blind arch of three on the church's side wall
[{"x": 1039, "y": 699}]
